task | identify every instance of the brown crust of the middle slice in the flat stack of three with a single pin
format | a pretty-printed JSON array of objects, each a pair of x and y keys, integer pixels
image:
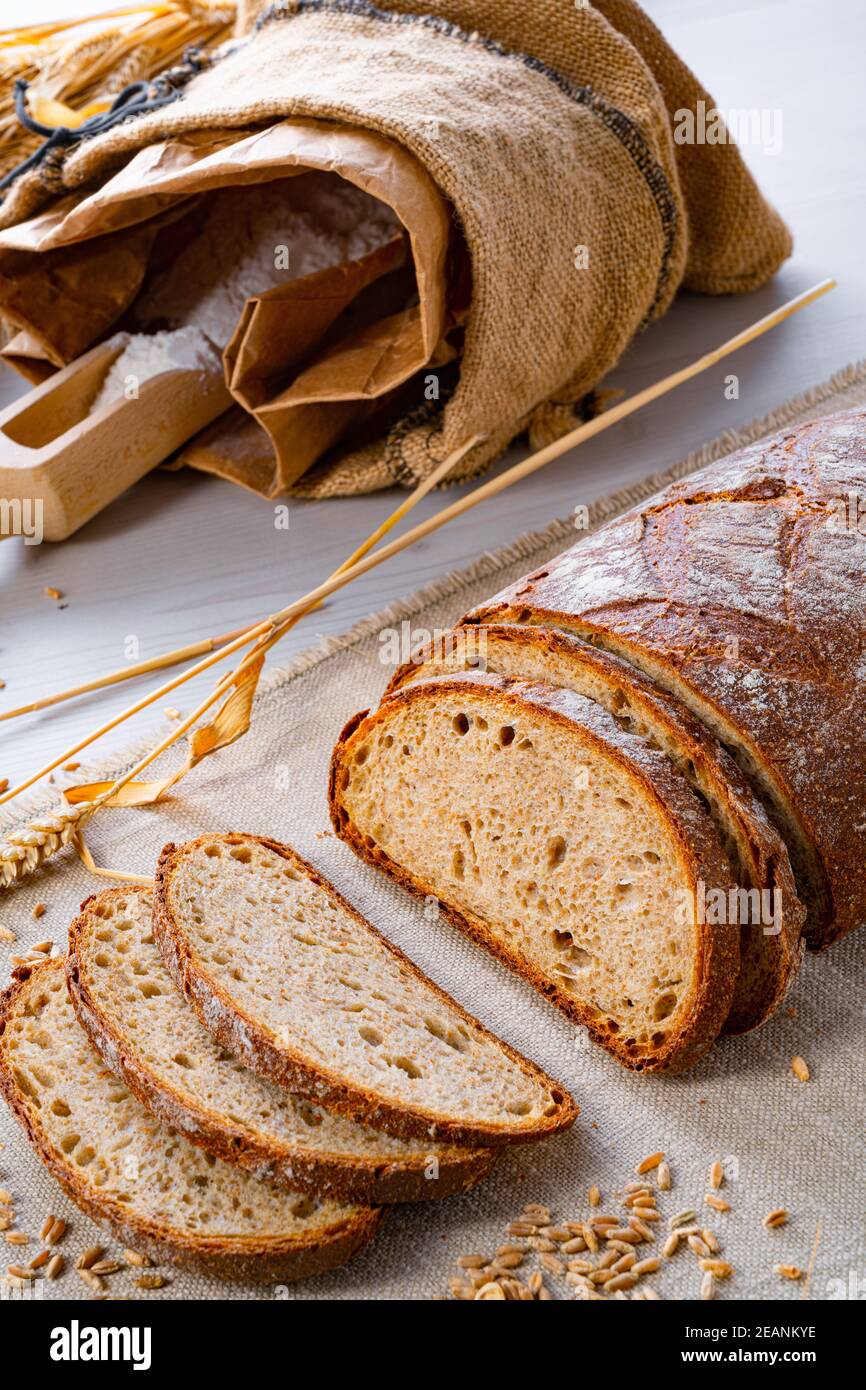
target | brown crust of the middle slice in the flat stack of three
[{"x": 343, "y": 1177}]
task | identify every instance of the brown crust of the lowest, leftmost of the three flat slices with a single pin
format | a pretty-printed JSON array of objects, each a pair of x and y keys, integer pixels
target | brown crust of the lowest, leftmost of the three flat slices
[{"x": 248, "y": 1259}]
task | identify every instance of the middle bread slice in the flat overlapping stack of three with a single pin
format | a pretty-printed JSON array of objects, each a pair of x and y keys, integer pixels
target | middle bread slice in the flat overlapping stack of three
[{"x": 149, "y": 1036}]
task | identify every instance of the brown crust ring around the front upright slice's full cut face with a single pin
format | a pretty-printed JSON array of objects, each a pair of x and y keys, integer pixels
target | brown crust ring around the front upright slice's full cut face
[{"x": 692, "y": 829}]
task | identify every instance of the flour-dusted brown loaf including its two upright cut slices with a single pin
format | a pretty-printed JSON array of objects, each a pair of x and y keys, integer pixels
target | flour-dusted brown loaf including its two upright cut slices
[{"x": 722, "y": 628}]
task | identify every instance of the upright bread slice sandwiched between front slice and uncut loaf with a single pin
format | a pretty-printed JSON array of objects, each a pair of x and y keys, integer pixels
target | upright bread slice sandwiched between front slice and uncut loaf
[{"x": 771, "y": 913}]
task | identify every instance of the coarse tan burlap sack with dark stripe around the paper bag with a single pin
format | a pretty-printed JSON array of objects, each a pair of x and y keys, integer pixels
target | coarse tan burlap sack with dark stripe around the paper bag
[{"x": 547, "y": 129}]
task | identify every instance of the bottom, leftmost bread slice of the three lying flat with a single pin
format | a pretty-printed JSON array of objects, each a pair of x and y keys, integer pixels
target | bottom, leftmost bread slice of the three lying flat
[{"x": 155, "y": 1191}]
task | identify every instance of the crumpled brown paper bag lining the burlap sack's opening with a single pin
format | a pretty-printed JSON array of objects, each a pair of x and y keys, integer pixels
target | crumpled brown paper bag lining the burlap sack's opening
[{"x": 305, "y": 359}]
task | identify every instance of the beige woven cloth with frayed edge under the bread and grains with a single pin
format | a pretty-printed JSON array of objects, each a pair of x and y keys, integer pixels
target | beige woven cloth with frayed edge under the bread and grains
[{"x": 785, "y": 1143}]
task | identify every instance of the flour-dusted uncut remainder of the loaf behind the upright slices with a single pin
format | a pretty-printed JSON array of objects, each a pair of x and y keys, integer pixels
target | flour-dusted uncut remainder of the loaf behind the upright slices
[{"x": 765, "y": 636}]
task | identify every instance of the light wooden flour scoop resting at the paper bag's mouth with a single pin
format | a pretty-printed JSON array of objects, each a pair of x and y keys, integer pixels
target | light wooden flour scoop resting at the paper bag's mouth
[{"x": 55, "y": 452}]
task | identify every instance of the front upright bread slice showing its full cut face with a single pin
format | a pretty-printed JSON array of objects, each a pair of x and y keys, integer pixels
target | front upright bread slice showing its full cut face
[{"x": 569, "y": 847}]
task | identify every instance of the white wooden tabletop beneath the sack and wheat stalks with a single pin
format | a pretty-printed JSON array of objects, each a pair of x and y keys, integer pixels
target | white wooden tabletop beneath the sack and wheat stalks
[{"x": 183, "y": 557}]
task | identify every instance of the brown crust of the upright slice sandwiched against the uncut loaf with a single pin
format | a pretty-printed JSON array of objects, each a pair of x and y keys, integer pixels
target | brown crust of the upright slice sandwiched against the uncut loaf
[{"x": 772, "y": 961}]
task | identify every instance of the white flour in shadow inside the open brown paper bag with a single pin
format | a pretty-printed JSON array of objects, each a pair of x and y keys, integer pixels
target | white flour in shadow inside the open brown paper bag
[{"x": 261, "y": 237}]
